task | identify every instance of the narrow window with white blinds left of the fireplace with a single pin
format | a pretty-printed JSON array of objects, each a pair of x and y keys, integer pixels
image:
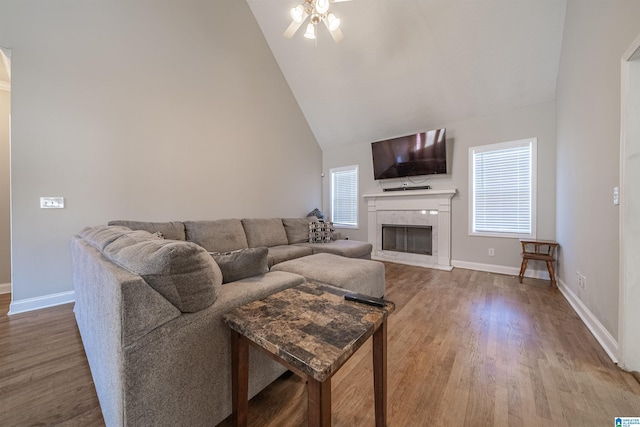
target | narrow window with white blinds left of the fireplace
[{"x": 344, "y": 196}]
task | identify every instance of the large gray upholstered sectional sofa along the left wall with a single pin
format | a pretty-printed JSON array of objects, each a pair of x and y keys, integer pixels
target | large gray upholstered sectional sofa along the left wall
[{"x": 149, "y": 301}]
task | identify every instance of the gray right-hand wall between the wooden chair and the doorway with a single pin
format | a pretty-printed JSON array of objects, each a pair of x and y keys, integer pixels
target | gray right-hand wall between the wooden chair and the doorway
[{"x": 588, "y": 102}]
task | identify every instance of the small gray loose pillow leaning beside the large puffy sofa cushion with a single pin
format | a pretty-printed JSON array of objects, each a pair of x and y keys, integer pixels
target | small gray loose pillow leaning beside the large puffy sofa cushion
[{"x": 242, "y": 263}]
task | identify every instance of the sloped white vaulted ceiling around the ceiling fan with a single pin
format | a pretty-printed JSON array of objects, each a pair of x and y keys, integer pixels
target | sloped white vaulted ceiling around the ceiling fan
[{"x": 411, "y": 65}]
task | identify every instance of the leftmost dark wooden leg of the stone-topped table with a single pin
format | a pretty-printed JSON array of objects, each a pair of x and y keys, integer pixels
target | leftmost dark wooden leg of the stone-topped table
[{"x": 239, "y": 379}]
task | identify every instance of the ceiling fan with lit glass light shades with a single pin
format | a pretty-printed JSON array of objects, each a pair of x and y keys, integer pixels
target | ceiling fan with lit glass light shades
[{"x": 317, "y": 11}]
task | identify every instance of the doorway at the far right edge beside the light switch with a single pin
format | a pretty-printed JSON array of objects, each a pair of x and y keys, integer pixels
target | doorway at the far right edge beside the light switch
[{"x": 629, "y": 300}]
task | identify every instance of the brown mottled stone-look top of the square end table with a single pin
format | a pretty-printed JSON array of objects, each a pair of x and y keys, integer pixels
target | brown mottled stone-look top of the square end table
[{"x": 311, "y": 326}]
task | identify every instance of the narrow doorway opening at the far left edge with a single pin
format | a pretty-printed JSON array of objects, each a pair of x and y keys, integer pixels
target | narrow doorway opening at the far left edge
[{"x": 5, "y": 197}]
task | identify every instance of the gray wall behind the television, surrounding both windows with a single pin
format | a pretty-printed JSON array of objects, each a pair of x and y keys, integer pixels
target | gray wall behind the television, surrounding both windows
[{"x": 535, "y": 121}]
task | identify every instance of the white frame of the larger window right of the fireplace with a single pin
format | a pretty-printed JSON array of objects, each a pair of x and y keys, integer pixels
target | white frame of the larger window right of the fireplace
[{"x": 533, "y": 143}]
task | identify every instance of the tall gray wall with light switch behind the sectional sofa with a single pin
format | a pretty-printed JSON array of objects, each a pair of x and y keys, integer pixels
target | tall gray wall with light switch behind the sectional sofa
[{"x": 150, "y": 110}]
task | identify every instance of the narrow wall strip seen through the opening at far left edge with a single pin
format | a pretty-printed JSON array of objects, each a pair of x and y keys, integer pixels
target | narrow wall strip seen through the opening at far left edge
[{"x": 5, "y": 214}]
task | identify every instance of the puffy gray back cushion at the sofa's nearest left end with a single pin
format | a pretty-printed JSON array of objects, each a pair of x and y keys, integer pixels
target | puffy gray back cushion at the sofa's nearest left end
[{"x": 182, "y": 272}]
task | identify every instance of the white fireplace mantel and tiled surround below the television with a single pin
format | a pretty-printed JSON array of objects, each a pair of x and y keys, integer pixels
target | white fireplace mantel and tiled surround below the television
[{"x": 412, "y": 207}]
